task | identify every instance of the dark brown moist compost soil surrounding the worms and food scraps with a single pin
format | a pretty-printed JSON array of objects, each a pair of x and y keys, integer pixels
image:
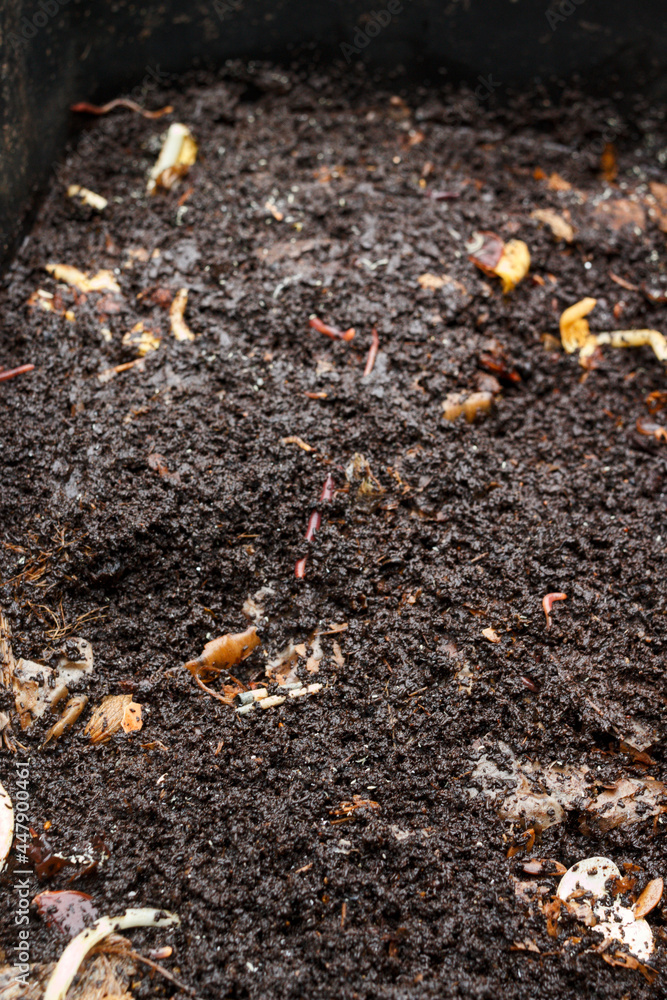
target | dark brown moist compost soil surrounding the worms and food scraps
[{"x": 141, "y": 510}]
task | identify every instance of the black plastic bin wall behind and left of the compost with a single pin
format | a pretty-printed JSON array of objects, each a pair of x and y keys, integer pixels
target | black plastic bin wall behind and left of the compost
[{"x": 55, "y": 52}]
